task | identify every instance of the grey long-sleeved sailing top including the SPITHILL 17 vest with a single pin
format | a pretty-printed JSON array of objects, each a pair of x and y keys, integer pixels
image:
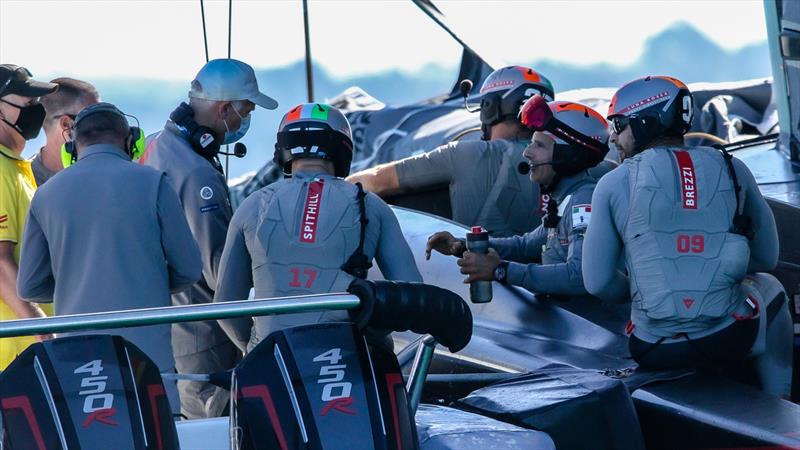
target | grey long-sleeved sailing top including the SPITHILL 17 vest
[{"x": 292, "y": 237}]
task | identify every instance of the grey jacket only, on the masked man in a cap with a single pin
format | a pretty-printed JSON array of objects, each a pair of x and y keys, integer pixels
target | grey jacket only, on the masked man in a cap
[{"x": 203, "y": 194}]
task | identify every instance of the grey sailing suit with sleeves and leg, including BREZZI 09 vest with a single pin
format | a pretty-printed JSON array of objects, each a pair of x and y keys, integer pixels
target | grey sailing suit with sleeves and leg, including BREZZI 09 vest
[{"x": 670, "y": 210}]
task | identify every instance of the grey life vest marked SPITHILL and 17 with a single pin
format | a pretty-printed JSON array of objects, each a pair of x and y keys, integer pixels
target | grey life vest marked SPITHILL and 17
[{"x": 308, "y": 231}]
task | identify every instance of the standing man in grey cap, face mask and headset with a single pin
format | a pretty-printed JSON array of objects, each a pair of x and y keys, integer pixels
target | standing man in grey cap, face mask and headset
[{"x": 222, "y": 96}]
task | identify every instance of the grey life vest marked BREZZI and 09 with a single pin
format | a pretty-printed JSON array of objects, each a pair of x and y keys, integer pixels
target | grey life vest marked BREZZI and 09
[{"x": 685, "y": 262}]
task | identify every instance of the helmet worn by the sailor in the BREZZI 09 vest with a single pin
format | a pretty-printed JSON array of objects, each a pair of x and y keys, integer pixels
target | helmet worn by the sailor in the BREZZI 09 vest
[{"x": 652, "y": 106}]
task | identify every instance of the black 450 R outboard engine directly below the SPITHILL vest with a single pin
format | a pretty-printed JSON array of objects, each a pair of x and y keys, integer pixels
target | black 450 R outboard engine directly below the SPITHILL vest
[{"x": 319, "y": 386}]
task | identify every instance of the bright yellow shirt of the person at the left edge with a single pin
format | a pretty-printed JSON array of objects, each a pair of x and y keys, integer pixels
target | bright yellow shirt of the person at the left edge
[{"x": 17, "y": 186}]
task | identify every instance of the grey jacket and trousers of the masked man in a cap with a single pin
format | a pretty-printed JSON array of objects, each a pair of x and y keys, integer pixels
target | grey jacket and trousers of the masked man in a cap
[{"x": 199, "y": 347}]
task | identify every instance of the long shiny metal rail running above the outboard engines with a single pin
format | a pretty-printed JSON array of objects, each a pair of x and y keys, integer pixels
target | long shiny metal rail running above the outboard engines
[{"x": 173, "y": 314}]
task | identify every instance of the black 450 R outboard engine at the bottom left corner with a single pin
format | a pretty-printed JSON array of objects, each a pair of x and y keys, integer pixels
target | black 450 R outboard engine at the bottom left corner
[{"x": 95, "y": 391}]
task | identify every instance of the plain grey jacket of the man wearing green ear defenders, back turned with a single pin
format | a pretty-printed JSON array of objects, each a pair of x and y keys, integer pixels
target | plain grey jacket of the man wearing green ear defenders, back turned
[{"x": 105, "y": 235}]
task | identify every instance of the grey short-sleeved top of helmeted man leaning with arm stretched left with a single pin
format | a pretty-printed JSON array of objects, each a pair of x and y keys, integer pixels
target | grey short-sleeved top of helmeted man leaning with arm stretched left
[{"x": 485, "y": 187}]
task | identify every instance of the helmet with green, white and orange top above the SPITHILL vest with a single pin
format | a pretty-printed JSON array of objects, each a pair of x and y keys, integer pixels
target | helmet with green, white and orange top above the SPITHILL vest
[{"x": 315, "y": 130}]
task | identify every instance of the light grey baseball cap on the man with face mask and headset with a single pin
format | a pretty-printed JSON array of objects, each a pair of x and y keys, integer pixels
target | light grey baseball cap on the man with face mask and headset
[{"x": 228, "y": 80}]
